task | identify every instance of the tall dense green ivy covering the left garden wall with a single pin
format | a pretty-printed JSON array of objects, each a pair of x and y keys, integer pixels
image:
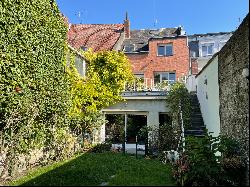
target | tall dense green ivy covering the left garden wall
[{"x": 34, "y": 87}]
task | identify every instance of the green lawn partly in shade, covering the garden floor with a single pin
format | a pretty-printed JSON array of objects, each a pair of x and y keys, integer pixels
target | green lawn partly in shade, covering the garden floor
[{"x": 94, "y": 168}]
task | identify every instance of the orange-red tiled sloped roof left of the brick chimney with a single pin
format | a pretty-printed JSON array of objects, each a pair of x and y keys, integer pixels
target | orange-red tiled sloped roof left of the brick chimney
[{"x": 99, "y": 37}]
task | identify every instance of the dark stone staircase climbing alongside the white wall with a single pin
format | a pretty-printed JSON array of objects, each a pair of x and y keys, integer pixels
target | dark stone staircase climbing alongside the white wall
[{"x": 197, "y": 125}]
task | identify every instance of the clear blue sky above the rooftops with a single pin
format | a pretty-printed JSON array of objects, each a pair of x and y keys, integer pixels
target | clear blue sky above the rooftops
[{"x": 197, "y": 16}]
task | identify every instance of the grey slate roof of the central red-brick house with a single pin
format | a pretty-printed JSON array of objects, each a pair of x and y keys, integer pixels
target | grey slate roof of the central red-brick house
[{"x": 139, "y": 38}]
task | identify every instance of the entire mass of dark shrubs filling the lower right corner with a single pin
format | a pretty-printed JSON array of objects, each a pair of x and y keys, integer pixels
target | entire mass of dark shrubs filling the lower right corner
[{"x": 199, "y": 165}]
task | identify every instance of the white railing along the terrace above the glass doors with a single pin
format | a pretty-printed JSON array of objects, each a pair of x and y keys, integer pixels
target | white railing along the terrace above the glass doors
[{"x": 147, "y": 85}]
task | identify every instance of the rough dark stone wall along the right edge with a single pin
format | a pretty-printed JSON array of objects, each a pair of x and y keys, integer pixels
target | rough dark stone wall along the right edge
[{"x": 234, "y": 87}]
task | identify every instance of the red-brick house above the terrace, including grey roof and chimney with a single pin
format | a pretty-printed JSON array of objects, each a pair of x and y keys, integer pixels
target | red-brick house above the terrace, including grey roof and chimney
[{"x": 157, "y": 54}]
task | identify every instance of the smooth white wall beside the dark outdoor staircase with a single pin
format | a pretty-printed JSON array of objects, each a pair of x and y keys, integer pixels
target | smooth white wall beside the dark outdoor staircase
[{"x": 208, "y": 95}]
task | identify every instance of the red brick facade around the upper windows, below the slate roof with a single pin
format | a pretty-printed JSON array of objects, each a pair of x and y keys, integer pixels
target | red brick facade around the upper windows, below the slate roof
[{"x": 148, "y": 63}]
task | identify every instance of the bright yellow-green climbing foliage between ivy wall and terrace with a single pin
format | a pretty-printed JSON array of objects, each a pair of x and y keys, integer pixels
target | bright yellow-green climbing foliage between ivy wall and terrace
[{"x": 106, "y": 75}]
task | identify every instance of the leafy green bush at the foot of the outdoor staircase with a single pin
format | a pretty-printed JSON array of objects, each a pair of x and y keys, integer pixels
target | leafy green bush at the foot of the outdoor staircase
[{"x": 198, "y": 164}]
